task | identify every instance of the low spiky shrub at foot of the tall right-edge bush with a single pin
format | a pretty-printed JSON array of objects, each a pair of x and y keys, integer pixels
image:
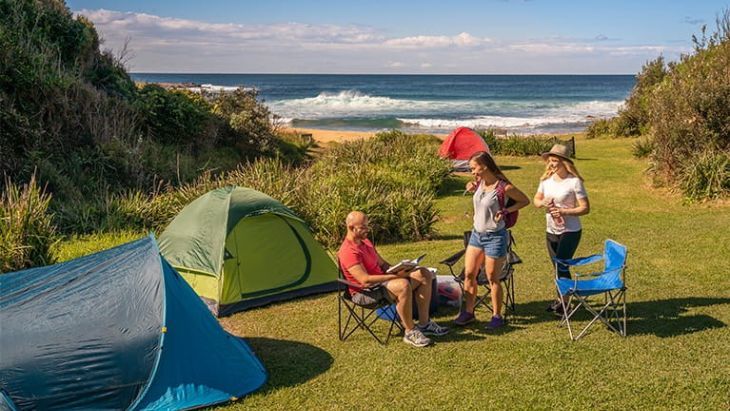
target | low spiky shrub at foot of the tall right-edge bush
[{"x": 706, "y": 176}]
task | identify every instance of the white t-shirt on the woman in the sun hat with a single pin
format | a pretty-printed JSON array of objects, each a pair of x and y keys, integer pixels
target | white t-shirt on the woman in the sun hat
[{"x": 565, "y": 193}]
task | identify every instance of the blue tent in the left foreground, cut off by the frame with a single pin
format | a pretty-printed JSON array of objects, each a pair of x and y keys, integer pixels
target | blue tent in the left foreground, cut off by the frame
[{"x": 119, "y": 329}]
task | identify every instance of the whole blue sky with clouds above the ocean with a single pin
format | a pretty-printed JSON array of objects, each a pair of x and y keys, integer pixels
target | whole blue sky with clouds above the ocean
[{"x": 429, "y": 37}]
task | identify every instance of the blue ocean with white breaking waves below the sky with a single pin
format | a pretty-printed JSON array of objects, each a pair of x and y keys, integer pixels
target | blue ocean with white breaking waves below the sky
[{"x": 521, "y": 104}]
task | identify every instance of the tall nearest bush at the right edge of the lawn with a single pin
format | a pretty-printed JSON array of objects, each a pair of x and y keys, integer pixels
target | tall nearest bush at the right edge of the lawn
[{"x": 690, "y": 117}]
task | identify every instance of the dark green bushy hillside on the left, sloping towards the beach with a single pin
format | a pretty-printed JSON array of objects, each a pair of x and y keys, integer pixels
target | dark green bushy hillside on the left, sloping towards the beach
[{"x": 70, "y": 113}]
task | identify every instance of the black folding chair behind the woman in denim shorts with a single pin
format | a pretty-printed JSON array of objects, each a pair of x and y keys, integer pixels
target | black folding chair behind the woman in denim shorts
[{"x": 506, "y": 277}]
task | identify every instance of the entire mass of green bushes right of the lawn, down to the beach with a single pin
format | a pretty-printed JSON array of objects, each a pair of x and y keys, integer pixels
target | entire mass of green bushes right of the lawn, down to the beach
[{"x": 680, "y": 113}]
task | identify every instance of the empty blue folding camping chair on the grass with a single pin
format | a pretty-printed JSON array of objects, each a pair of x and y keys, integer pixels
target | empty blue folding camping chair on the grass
[{"x": 609, "y": 283}]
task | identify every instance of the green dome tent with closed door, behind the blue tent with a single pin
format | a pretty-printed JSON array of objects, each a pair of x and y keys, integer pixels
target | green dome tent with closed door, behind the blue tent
[{"x": 239, "y": 248}]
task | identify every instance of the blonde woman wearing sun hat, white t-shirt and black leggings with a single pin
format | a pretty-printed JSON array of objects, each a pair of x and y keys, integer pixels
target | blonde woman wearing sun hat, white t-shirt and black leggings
[{"x": 562, "y": 194}]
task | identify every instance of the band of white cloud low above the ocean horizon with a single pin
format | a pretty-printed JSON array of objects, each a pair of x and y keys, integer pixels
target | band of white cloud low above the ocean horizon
[{"x": 169, "y": 44}]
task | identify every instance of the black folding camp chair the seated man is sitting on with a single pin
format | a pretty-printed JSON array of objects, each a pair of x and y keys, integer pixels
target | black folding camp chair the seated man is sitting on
[{"x": 353, "y": 316}]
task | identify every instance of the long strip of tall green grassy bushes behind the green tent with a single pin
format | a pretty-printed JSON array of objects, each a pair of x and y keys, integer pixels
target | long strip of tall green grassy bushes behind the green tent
[{"x": 393, "y": 177}]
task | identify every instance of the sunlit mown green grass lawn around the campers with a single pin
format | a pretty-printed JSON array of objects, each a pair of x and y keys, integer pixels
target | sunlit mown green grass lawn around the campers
[{"x": 676, "y": 355}]
